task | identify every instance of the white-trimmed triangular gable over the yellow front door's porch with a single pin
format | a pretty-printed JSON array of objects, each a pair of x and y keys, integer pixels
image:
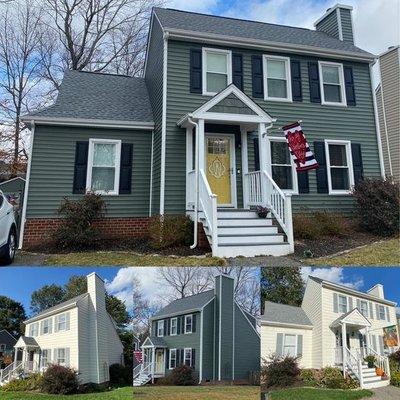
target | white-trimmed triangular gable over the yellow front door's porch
[{"x": 255, "y": 115}]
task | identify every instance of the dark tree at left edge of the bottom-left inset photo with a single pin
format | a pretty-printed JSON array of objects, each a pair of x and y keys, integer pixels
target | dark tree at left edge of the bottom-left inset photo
[{"x": 12, "y": 316}]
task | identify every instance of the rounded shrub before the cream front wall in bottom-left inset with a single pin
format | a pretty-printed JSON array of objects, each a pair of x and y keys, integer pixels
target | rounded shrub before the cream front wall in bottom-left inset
[{"x": 59, "y": 380}]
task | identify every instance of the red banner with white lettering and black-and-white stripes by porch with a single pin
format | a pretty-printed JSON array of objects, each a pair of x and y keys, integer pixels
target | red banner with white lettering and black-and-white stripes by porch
[{"x": 299, "y": 148}]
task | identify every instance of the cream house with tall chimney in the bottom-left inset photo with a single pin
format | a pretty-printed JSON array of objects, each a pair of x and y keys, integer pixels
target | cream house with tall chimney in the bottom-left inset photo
[{"x": 78, "y": 333}]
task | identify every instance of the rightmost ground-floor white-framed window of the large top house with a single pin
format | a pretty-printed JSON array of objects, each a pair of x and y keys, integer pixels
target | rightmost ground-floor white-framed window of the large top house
[{"x": 340, "y": 166}]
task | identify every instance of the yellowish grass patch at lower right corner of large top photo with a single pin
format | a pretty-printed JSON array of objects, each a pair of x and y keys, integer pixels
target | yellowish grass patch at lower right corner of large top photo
[{"x": 382, "y": 253}]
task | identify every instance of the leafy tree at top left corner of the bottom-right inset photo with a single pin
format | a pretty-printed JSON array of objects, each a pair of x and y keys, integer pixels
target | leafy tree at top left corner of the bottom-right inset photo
[{"x": 282, "y": 285}]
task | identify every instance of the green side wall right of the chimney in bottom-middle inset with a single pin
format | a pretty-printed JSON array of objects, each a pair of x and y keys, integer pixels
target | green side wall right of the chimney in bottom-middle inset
[{"x": 247, "y": 347}]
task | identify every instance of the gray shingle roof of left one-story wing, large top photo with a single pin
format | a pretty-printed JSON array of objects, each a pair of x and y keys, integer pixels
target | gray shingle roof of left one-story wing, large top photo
[{"x": 87, "y": 95}]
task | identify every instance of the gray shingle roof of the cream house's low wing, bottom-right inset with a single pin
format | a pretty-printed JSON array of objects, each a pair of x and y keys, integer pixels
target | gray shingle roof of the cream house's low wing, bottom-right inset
[{"x": 274, "y": 312}]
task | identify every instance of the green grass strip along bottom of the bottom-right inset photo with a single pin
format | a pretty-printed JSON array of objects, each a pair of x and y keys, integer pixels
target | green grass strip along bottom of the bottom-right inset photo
[{"x": 319, "y": 394}]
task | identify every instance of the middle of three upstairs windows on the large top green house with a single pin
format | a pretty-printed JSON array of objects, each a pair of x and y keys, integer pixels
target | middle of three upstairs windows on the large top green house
[{"x": 277, "y": 84}]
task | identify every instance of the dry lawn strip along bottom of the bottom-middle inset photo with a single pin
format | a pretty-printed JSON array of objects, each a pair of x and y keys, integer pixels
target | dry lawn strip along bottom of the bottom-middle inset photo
[{"x": 197, "y": 393}]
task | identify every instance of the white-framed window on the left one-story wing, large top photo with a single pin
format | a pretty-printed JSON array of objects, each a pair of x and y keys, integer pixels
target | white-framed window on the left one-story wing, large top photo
[{"x": 103, "y": 166}]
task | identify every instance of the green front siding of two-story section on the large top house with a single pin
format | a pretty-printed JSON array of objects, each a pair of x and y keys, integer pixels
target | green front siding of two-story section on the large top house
[{"x": 319, "y": 122}]
